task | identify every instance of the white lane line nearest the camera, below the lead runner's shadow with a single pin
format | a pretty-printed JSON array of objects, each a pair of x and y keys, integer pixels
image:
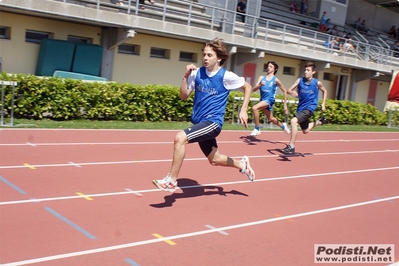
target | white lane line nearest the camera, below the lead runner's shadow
[{"x": 195, "y": 233}]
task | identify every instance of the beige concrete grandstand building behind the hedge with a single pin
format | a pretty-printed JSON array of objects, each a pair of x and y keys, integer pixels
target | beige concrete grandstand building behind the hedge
[{"x": 153, "y": 45}]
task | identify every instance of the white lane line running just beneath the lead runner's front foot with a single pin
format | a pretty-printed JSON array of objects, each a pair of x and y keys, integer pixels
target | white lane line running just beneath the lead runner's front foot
[{"x": 203, "y": 185}]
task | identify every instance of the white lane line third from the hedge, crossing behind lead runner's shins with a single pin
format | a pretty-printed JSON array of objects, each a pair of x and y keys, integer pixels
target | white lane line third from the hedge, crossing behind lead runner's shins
[{"x": 193, "y": 159}]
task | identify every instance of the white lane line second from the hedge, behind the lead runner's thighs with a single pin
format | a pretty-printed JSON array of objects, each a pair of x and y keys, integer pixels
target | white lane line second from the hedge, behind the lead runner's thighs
[{"x": 171, "y": 142}]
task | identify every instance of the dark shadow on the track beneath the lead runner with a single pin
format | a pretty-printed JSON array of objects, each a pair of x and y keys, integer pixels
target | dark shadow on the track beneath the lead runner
[{"x": 190, "y": 189}]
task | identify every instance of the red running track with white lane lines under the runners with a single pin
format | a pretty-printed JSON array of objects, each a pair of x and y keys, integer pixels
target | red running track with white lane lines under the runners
[{"x": 85, "y": 197}]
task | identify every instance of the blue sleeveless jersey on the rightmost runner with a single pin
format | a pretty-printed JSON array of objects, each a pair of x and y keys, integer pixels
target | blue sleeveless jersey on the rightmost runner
[{"x": 308, "y": 94}]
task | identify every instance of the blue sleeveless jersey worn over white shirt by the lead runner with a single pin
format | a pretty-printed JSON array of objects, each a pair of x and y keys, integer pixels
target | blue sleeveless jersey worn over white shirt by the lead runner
[{"x": 210, "y": 97}]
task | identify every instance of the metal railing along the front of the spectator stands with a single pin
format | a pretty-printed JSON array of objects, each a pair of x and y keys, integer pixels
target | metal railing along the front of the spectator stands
[{"x": 221, "y": 19}]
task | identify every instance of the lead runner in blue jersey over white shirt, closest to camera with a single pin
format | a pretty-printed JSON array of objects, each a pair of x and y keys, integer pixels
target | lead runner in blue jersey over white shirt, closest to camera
[{"x": 212, "y": 84}]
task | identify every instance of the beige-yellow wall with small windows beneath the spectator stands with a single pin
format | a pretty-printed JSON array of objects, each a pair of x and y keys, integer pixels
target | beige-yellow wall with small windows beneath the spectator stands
[{"x": 21, "y": 57}]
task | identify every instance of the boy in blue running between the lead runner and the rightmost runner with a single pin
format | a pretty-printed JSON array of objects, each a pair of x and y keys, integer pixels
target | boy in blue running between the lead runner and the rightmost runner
[{"x": 268, "y": 87}]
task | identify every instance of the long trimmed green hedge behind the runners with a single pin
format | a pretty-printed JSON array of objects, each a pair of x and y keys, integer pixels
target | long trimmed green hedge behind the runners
[{"x": 67, "y": 99}]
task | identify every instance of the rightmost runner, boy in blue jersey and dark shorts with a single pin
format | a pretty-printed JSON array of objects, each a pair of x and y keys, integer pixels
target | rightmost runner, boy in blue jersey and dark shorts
[{"x": 307, "y": 91}]
